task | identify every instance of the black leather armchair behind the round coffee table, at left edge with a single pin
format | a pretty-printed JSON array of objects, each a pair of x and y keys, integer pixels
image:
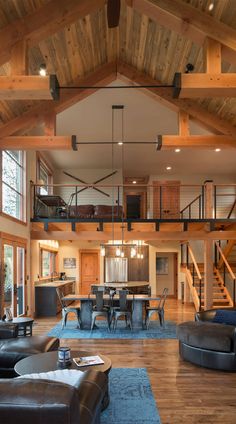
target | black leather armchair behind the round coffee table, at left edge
[{"x": 13, "y": 350}]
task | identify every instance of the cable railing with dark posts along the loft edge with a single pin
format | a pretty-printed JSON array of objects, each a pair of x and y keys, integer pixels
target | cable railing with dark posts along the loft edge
[{"x": 166, "y": 202}]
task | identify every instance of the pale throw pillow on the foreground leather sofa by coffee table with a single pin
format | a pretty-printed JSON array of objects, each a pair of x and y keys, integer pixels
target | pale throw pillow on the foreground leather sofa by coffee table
[{"x": 66, "y": 376}]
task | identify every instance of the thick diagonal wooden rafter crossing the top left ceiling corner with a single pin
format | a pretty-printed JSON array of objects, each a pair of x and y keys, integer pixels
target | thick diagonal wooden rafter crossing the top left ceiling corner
[{"x": 47, "y": 20}]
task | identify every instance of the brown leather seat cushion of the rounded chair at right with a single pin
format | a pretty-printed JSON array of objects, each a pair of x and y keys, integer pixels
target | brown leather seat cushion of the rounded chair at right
[{"x": 206, "y": 335}]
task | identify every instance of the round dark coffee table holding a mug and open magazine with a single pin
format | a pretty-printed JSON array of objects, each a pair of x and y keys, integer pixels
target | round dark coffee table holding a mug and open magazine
[{"x": 44, "y": 362}]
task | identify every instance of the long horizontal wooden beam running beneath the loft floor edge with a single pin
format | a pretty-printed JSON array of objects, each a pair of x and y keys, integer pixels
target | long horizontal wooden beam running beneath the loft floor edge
[{"x": 133, "y": 235}]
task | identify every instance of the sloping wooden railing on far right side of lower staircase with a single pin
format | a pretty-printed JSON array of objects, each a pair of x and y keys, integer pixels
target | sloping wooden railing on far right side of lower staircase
[{"x": 226, "y": 271}]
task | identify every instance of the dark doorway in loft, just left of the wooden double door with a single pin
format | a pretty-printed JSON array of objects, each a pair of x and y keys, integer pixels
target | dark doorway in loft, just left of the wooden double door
[{"x": 135, "y": 205}]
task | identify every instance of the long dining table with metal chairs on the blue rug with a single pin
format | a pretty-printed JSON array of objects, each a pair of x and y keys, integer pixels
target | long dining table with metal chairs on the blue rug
[{"x": 138, "y": 302}]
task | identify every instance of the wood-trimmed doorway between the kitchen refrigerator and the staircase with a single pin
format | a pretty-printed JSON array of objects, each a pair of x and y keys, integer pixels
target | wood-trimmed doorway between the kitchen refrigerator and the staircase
[{"x": 167, "y": 273}]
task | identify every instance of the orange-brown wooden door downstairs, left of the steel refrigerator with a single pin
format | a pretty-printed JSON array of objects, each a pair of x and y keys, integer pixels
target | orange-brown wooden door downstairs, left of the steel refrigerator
[{"x": 89, "y": 270}]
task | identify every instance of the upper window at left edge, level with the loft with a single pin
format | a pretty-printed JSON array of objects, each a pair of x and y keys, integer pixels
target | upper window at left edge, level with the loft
[{"x": 13, "y": 184}]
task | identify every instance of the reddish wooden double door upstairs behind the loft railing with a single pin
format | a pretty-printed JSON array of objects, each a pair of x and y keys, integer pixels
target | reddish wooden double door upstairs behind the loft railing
[{"x": 166, "y": 199}]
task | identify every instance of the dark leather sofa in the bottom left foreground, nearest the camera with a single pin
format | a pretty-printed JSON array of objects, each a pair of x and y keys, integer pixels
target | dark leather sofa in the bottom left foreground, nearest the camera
[{"x": 26, "y": 401}]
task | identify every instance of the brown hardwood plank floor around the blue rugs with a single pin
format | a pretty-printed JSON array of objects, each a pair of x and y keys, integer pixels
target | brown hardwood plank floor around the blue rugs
[{"x": 184, "y": 393}]
